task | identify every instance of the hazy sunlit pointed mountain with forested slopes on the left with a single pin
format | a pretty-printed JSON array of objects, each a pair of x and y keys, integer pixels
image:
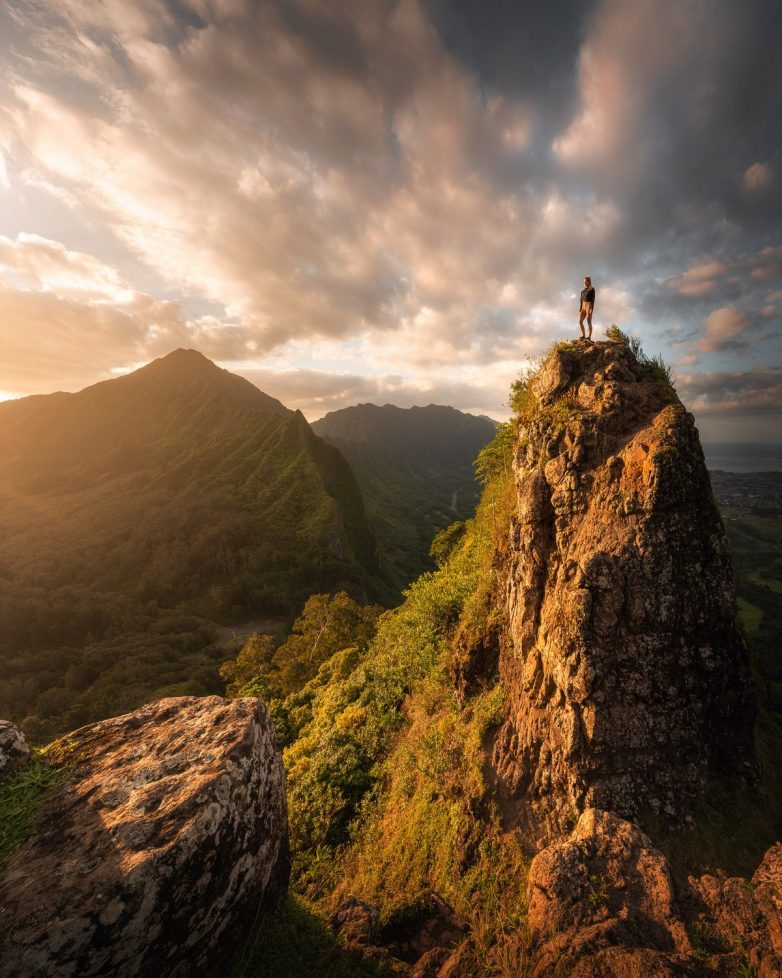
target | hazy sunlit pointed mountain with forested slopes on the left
[{"x": 179, "y": 489}]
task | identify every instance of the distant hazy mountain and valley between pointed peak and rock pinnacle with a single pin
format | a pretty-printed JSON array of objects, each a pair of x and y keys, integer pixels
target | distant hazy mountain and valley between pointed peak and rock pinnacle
[{"x": 415, "y": 468}]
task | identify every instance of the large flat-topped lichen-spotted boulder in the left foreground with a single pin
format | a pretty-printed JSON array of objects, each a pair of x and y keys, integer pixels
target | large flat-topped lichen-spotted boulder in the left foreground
[{"x": 164, "y": 843}]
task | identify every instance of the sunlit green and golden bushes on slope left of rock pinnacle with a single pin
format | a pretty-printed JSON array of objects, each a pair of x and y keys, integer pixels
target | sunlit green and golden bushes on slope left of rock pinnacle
[{"x": 386, "y": 789}]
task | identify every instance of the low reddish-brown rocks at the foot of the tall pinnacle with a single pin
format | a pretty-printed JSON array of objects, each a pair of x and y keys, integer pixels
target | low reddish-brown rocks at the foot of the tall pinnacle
[{"x": 602, "y": 904}]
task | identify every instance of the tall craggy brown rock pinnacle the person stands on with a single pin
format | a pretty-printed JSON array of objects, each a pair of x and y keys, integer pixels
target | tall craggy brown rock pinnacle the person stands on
[{"x": 628, "y": 677}]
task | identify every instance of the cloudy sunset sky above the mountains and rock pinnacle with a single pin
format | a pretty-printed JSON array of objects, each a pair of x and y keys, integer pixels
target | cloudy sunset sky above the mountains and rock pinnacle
[{"x": 393, "y": 201}]
